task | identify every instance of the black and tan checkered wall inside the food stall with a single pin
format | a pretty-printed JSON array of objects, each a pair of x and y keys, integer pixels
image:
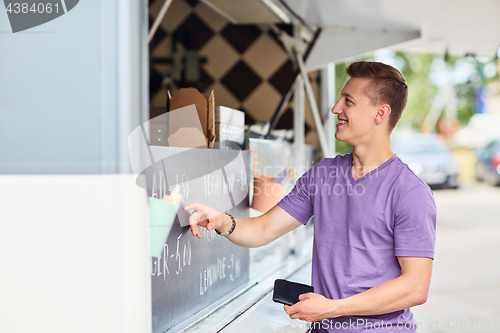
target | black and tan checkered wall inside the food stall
[{"x": 246, "y": 65}]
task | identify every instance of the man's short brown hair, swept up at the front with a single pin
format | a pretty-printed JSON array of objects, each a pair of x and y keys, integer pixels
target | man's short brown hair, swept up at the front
[{"x": 387, "y": 86}]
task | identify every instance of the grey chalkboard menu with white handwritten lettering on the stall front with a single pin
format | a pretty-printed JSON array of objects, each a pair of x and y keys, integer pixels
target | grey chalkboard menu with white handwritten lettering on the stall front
[{"x": 192, "y": 273}]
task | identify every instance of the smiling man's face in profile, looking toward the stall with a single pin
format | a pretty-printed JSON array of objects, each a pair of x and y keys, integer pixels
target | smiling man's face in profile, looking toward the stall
[{"x": 355, "y": 113}]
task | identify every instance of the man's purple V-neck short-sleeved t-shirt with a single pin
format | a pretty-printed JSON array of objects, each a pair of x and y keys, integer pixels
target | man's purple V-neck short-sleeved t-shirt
[{"x": 360, "y": 227}]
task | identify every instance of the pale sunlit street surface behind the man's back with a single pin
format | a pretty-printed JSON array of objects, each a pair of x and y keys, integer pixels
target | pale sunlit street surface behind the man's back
[{"x": 465, "y": 288}]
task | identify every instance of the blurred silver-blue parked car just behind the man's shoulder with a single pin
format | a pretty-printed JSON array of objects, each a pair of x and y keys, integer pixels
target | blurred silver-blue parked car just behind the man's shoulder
[{"x": 428, "y": 157}]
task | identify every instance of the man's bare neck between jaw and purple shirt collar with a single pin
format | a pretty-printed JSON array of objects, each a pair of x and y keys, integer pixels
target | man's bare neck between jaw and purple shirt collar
[{"x": 368, "y": 157}]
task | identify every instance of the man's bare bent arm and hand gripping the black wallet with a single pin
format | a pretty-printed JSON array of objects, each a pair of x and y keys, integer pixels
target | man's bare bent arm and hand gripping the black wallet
[{"x": 407, "y": 290}]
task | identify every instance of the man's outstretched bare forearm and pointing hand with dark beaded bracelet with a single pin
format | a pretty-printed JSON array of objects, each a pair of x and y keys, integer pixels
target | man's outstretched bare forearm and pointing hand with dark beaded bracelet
[{"x": 250, "y": 232}]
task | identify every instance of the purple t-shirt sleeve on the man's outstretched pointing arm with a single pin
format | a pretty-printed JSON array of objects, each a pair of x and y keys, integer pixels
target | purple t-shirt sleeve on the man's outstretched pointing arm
[{"x": 299, "y": 202}]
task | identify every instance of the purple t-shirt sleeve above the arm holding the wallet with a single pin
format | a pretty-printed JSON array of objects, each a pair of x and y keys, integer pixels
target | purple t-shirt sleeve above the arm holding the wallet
[{"x": 415, "y": 223}]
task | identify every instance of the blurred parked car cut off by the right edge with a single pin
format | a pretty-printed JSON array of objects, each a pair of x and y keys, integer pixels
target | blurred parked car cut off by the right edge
[{"x": 488, "y": 163}]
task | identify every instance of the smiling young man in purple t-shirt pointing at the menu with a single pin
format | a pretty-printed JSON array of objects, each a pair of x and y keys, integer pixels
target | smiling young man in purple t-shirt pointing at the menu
[{"x": 374, "y": 219}]
